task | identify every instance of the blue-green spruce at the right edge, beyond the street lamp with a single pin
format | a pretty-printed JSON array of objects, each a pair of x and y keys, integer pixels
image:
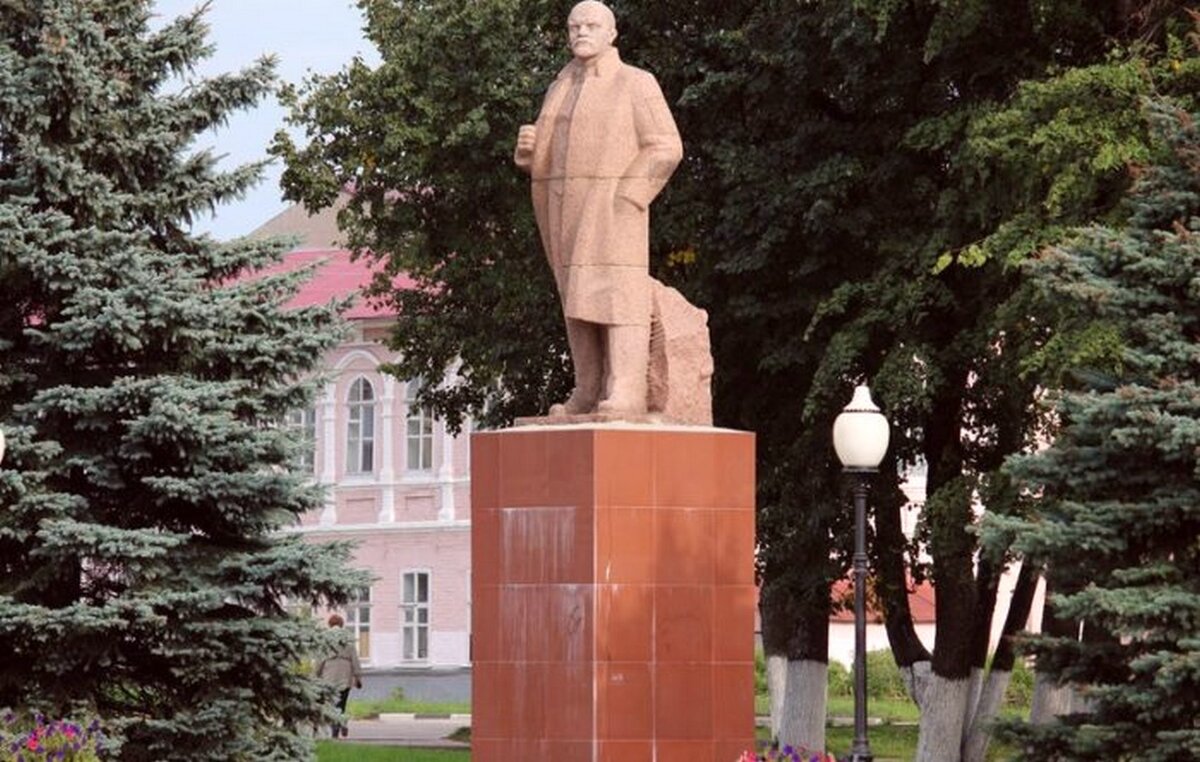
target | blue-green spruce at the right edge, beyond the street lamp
[{"x": 1118, "y": 518}]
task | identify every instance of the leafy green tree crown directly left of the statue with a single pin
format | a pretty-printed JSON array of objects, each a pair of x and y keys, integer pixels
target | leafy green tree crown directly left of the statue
[{"x": 427, "y": 143}]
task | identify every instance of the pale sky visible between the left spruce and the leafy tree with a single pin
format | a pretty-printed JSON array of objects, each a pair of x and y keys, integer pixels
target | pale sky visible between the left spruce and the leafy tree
[{"x": 307, "y": 37}]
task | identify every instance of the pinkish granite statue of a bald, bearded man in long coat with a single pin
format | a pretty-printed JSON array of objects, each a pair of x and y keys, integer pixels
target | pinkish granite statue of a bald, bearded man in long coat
[{"x": 602, "y": 149}]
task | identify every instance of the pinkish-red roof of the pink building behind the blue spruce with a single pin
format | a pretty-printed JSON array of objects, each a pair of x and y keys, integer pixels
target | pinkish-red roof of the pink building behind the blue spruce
[{"x": 337, "y": 278}]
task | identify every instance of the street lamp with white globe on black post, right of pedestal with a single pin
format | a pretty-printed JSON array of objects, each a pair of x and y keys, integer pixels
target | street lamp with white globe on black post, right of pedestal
[{"x": 861, "y": 437}]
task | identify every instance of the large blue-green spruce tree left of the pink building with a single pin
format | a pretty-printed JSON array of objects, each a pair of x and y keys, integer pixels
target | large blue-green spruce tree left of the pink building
[{"x": 145, "y": 500}]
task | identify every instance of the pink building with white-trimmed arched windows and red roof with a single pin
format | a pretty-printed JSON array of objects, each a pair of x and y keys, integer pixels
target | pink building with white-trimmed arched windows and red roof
[{"x": 397, "y": 482}]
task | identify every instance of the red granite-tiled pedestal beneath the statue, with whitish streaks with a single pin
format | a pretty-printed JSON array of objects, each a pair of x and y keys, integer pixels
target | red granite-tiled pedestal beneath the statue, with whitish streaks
[{"x": 613, "y": 595}]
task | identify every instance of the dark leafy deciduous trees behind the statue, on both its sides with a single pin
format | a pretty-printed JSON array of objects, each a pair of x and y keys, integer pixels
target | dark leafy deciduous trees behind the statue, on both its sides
[{"x": 863, "y": 179}]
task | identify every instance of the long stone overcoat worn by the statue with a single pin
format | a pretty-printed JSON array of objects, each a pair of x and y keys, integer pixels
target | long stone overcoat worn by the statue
[{"x": 607, "y": 146}]
